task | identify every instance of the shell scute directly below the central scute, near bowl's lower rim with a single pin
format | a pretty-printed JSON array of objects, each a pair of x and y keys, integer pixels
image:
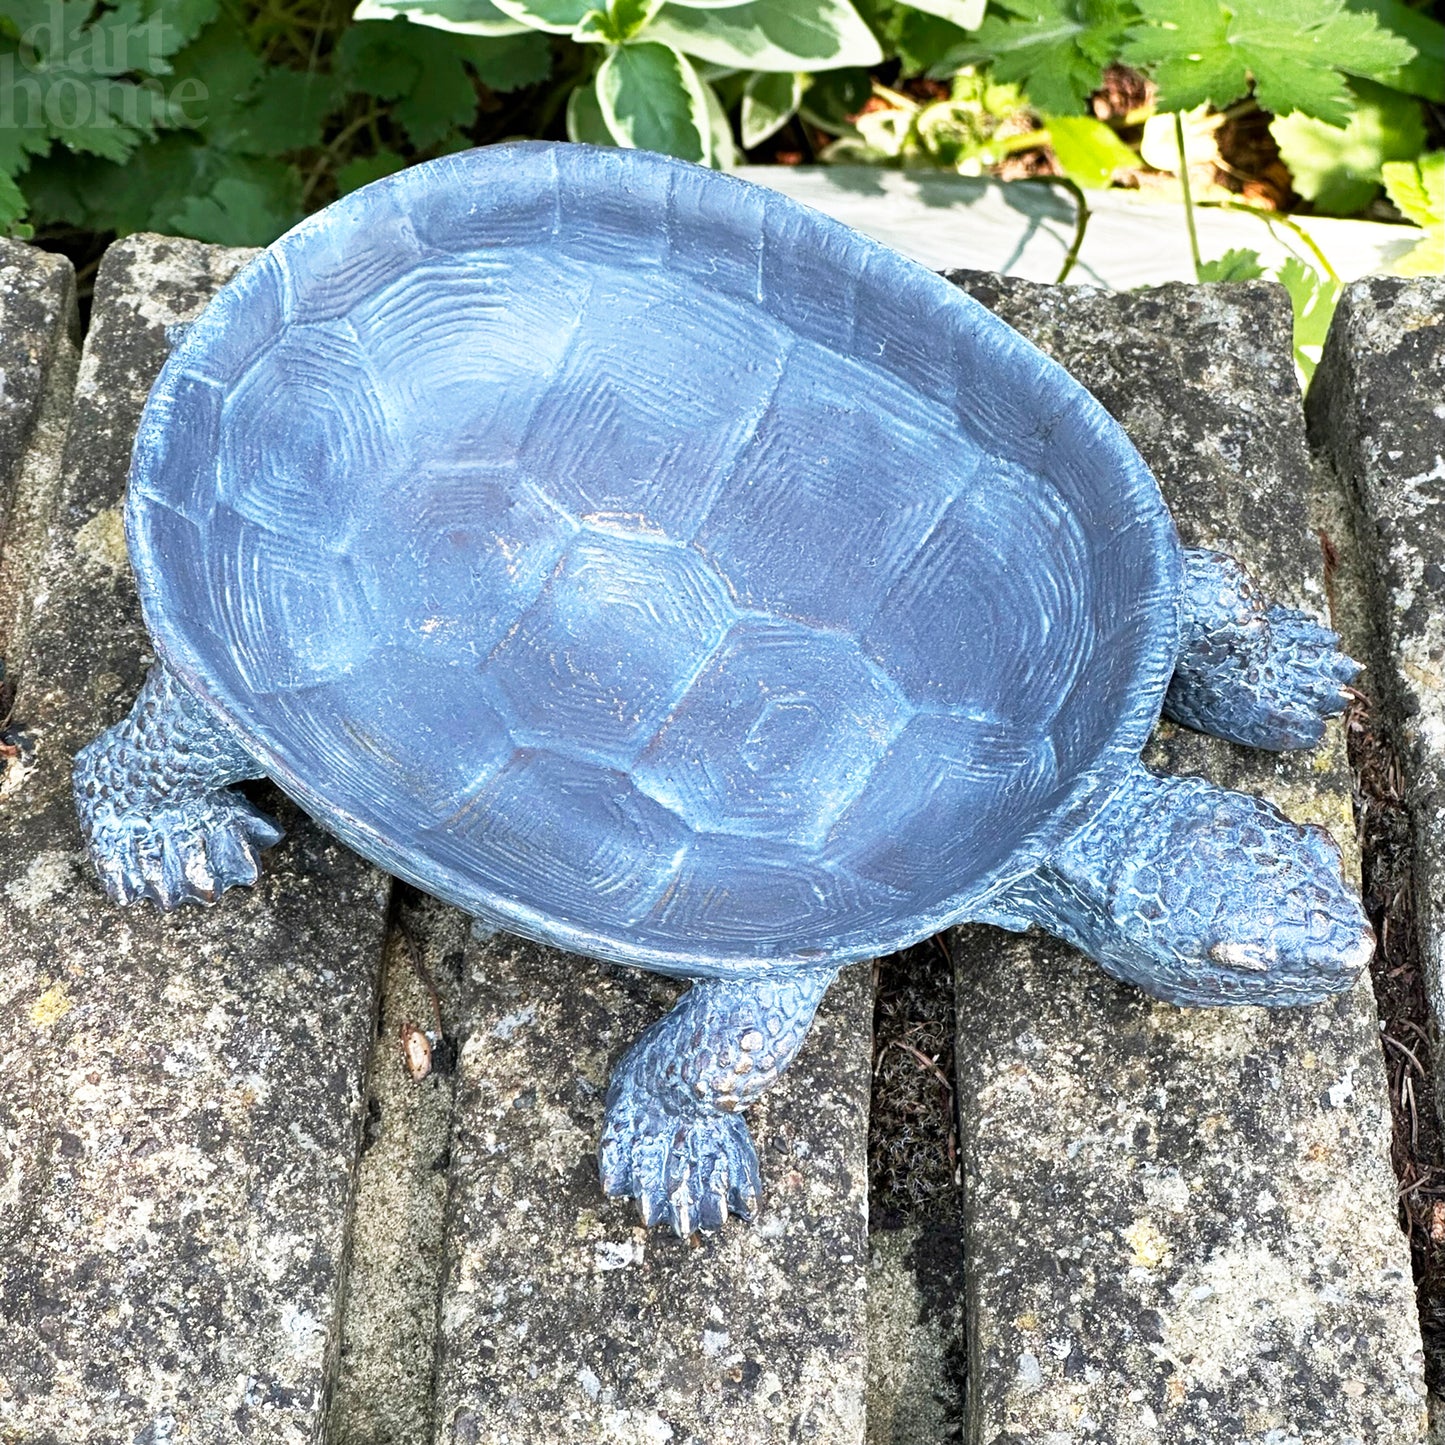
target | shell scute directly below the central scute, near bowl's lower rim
[{"x": 566, "y": 839}]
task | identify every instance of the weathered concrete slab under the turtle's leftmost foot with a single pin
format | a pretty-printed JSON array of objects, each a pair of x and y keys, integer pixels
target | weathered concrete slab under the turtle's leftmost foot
[{"x": 183, "y": 1096}]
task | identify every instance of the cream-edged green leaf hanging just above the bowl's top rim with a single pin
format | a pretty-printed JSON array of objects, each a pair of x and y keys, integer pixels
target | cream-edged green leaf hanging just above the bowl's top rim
[{"x": 652, "y": 100}]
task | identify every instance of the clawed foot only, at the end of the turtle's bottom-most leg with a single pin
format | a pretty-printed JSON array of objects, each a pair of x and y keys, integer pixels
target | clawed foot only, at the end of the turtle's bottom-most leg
[{"x": 686, "y": 1170}]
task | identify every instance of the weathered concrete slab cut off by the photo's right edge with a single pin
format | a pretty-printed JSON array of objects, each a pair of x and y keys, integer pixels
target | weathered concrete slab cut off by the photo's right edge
[{"x": 1378, "y": 415}]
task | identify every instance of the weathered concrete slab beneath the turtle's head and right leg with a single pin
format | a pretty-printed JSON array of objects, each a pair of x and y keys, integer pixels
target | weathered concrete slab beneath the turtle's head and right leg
[{"x": 1183, "y": 1223}]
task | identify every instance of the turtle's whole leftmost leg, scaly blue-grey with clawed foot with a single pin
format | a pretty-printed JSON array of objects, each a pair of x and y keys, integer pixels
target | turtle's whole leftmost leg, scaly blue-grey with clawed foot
[{"x": 152, "y": 797}]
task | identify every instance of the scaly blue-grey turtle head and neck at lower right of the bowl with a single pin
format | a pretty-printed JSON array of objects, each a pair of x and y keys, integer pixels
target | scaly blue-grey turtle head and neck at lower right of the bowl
[{"x": 1200, "y": 897}]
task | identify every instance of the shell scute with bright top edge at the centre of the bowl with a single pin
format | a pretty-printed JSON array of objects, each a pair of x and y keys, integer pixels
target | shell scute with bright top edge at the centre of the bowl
[{"x": 611, "y": 647}]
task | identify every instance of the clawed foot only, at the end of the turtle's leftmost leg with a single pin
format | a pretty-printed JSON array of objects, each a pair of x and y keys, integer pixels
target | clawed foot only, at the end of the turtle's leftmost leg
[{"x": 186, "y": 853}]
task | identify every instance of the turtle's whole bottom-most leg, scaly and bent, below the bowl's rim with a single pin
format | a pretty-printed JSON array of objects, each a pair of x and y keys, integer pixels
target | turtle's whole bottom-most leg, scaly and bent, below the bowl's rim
[{"x": 673, "y": 1136}]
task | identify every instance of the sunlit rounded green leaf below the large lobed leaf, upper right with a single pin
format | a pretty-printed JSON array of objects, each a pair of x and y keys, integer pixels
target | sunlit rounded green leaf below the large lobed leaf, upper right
[{"x": 1340, "y": 170}]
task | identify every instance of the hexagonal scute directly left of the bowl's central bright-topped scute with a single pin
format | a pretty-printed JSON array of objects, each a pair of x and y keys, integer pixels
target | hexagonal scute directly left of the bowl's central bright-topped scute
[{"x": 453, "y": 556}]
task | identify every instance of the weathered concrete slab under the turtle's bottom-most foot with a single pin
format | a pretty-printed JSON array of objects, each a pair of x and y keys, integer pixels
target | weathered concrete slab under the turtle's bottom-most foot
[{"x": 563, "y": 1319}]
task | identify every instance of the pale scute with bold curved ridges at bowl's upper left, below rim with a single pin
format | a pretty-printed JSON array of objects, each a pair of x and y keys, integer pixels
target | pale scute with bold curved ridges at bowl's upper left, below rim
[{"x": 470, "y": 345}]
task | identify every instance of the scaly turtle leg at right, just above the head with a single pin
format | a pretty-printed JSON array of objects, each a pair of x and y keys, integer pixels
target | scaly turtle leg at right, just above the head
[{"x": 1261, "y": 676}]
